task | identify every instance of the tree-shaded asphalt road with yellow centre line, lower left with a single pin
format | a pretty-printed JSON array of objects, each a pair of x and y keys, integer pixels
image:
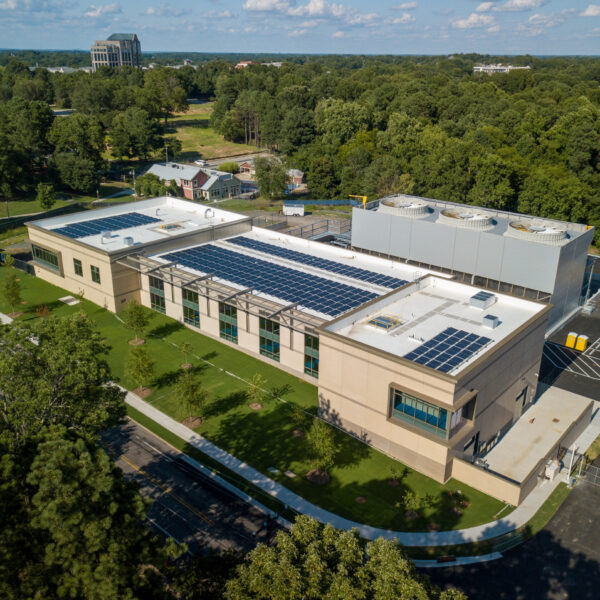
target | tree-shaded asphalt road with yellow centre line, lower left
[{"x": 185, "y": 504}]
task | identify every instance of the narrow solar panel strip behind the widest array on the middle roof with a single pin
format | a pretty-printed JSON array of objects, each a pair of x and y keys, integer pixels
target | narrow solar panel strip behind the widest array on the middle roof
[{"x": 319, "y": 263}]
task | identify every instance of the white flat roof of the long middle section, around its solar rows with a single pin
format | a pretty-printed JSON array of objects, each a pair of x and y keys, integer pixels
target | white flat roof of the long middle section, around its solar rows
[{"x": 401, "y": 272}]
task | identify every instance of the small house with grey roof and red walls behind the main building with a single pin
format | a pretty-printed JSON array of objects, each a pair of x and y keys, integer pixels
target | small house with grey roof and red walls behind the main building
[{"x": 198, "y": 183}]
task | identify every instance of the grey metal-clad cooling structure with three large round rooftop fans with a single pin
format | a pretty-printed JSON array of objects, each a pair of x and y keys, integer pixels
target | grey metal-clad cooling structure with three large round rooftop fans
[{"x": 539, "y": 259}]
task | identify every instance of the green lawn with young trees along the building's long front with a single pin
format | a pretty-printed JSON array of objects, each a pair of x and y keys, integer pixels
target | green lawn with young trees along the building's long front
[{"x": 264, "y": 438}]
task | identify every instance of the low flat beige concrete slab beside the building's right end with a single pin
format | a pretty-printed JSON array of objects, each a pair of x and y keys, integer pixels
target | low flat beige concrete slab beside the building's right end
[{"x": 536, "y": 433}]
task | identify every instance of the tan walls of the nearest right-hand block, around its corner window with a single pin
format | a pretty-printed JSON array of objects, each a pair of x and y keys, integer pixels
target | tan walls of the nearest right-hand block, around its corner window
[{"x": 356, "y": 383}]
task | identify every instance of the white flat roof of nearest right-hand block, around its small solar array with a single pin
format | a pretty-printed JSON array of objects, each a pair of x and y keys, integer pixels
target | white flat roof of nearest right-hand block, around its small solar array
[{"x": 420, "y": 312}]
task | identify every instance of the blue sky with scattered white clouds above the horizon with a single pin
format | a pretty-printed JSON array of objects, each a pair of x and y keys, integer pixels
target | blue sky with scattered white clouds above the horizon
[{"x": 344, "y": 26}]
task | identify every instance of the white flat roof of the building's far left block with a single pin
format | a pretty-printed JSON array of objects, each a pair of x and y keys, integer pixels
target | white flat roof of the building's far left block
[{"x": 171, "y": 217}]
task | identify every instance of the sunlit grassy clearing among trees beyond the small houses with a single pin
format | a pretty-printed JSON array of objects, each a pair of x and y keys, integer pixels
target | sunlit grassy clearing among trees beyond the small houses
[{"x": 198, "y": 138}]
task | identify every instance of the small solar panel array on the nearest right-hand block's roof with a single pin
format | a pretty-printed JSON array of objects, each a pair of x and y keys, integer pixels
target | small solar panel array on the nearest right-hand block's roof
[{"x": 448, "y": 349}]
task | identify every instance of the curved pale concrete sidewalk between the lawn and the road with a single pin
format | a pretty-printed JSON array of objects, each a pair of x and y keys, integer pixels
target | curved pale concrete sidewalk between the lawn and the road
[{"x": 516, "y": 519}]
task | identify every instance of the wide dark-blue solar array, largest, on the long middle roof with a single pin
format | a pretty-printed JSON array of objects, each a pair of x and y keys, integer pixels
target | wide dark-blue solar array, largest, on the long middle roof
[{"x": 323, "y": 295}]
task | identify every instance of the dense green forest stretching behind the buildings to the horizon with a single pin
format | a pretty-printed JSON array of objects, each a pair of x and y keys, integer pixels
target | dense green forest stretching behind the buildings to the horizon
[{"x": 527, "y": 141}]
